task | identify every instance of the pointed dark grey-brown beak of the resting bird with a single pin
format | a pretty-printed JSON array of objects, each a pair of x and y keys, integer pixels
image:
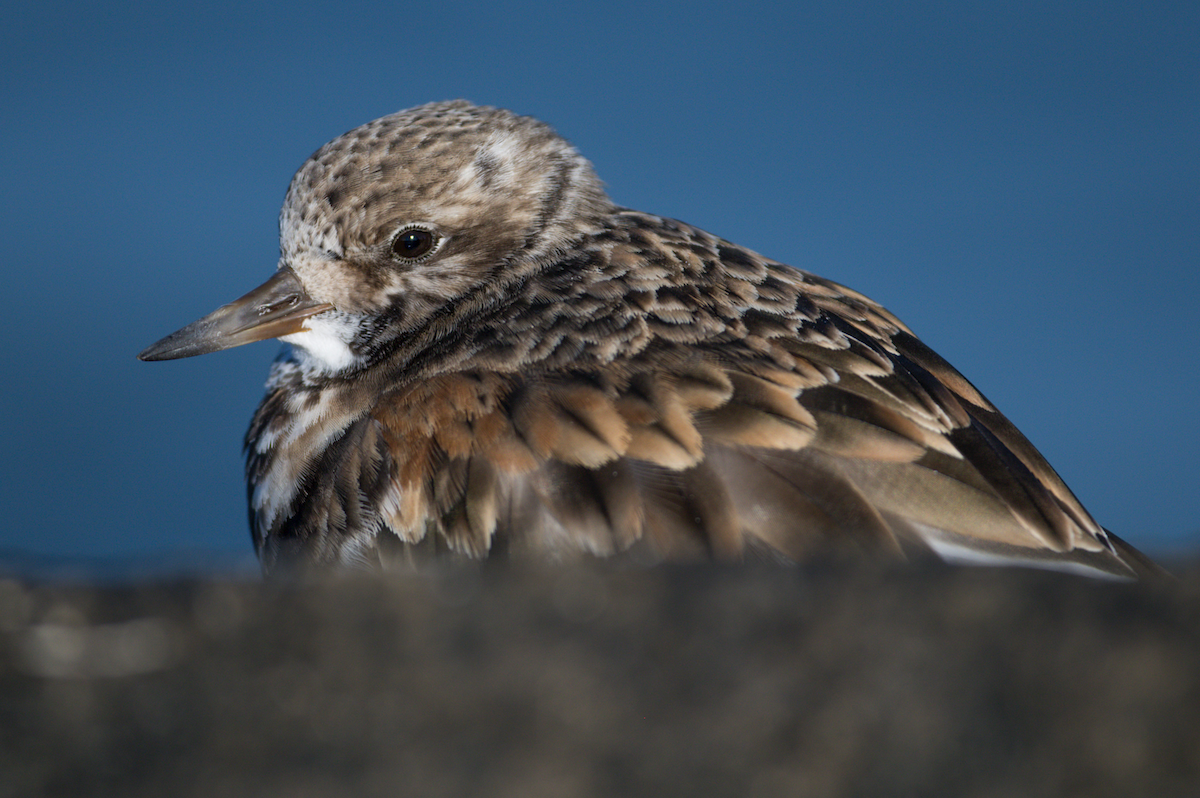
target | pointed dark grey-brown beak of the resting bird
[{"x": 278, "y": 308}]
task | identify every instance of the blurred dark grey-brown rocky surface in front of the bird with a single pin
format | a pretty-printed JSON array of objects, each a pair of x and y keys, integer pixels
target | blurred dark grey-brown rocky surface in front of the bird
[{"x": 596, "y": 681}]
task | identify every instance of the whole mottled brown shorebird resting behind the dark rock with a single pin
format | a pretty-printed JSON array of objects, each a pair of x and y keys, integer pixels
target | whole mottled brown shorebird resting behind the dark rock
[{"x": 487, "y": 357}]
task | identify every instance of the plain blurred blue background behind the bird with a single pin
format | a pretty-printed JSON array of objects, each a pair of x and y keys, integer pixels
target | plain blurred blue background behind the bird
[{"x": 1019, "y": 182}]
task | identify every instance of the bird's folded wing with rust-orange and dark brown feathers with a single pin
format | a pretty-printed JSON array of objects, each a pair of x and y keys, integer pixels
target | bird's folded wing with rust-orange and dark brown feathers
[{"x": 853, "y": 448}]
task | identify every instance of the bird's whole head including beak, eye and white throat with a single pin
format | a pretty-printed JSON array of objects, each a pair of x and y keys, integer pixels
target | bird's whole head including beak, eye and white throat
[{"x": 404, "y": 221}]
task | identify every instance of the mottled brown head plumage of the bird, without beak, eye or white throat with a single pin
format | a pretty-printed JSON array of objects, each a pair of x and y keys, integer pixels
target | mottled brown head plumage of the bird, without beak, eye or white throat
[{"x": 497, "y": 189}]
